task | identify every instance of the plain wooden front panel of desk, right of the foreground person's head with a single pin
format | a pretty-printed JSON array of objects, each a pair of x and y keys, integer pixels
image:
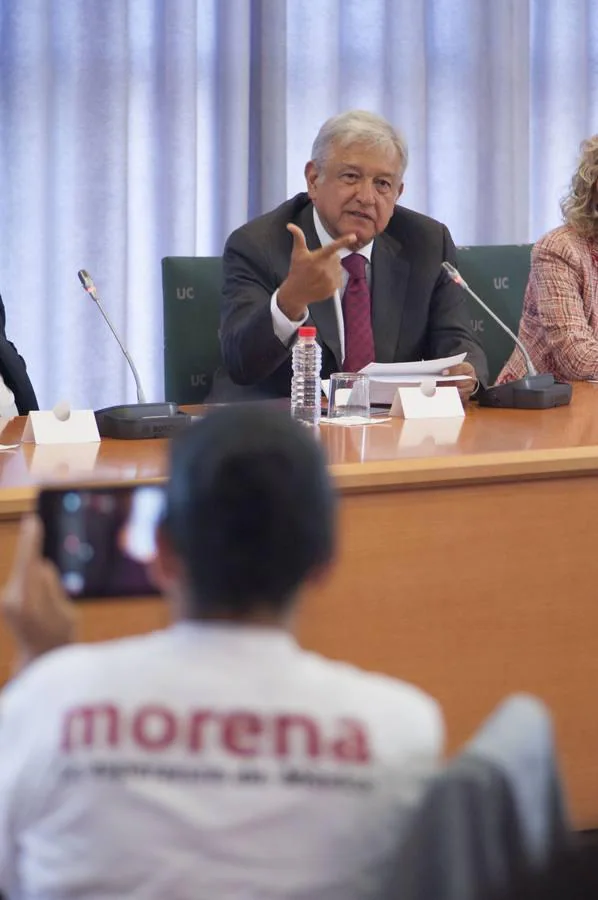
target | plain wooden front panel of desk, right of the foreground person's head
[{"x": 421, "y": 593}]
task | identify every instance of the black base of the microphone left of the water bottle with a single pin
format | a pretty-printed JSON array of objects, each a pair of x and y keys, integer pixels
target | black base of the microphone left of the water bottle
[{"x": 141, "y": 421}]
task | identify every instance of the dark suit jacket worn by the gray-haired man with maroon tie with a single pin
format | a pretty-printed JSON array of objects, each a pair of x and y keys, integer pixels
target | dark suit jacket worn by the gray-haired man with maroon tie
[{"x": 417, "y": 313}]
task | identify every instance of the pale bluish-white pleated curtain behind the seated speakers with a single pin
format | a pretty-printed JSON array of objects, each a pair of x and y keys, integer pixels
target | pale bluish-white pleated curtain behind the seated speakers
[{"x": 135, "y": 129}]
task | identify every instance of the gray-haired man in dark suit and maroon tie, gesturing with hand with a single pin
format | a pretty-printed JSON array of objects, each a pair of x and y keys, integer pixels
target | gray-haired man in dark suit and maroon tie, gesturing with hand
[{"x": 366, "y": 272}]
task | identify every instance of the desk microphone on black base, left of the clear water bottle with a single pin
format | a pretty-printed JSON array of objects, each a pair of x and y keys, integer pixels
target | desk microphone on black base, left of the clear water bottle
[{"x": 140, "y": 420}]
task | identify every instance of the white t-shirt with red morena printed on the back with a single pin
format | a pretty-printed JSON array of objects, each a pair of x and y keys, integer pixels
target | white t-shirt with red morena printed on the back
[{"x": 206, "y": 761}]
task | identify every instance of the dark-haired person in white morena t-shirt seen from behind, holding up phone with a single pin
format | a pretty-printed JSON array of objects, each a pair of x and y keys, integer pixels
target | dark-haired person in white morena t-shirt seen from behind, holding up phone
[{"x": 215, "y": 758}]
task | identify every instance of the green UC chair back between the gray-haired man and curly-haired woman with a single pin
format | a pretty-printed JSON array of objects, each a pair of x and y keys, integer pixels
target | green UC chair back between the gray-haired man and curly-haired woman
[{"x": 499, "y": 276}]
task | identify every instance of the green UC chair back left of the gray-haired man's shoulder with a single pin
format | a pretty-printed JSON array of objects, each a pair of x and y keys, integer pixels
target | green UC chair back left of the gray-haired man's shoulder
[{"x": 191, "y": 288}]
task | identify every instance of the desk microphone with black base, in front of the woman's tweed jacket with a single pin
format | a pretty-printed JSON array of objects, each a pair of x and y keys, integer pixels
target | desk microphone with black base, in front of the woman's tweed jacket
[{"x": 531, "y": 392}]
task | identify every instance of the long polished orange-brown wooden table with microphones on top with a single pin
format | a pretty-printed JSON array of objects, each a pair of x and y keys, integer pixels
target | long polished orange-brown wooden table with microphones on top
[{"x": 467, "y": 562}]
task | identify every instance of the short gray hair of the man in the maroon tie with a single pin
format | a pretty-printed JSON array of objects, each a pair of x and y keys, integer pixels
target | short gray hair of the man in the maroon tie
[{"x": 358, "y": 127}]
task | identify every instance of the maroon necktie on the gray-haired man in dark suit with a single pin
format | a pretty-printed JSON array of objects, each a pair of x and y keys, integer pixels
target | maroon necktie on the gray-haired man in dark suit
[{"x": 357, "y": 315}]
